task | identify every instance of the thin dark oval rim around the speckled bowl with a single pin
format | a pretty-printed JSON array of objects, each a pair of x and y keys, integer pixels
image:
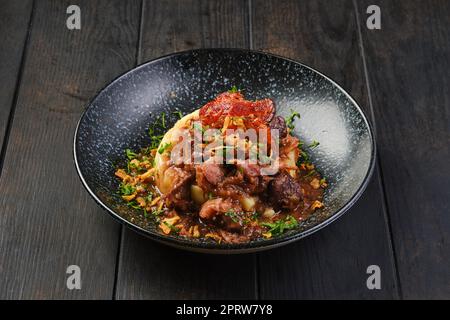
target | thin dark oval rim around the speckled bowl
[{"x": 212, "y": 247}]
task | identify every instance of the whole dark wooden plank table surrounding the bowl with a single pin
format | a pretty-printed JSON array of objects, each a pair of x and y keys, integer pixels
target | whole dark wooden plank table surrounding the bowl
[{"x": 399, "y": 75}]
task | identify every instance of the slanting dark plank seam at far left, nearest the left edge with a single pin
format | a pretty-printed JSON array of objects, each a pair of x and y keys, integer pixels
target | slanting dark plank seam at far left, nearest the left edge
[{"x": 16, "y": 90}]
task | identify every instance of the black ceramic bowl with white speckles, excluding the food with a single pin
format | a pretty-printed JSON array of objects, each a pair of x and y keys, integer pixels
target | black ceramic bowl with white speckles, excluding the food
[{"x": 119, "y": 117}]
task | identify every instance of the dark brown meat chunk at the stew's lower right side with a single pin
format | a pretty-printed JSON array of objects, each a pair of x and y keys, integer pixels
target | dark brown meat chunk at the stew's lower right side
[{"x": 285, "y": 191}]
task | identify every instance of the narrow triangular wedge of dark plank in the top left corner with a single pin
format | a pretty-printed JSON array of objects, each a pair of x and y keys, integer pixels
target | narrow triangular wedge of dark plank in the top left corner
[{"x": 14, "y": 21}]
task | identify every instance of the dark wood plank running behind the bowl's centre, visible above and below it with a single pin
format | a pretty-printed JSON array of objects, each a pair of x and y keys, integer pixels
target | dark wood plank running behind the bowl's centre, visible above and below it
[{"x": 149, "y": 270}]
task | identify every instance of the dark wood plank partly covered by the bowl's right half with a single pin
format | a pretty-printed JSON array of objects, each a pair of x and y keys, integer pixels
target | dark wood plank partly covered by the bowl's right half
[{"x": 332, "y": 263}]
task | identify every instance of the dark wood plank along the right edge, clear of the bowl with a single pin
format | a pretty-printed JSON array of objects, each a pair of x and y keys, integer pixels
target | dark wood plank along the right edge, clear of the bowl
[{"x": 408, "y": 63}]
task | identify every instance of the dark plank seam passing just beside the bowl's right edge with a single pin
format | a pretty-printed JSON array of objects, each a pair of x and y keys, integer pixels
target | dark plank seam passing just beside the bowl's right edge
[{"x": 385, "y": 205}]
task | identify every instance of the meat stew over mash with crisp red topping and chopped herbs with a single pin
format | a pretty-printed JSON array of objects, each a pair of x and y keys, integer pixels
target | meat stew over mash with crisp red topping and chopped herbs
[{"x": 231, "y": 171}]
